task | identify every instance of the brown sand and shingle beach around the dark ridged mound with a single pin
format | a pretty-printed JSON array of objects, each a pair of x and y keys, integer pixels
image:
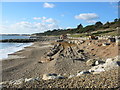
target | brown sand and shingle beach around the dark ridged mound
[{"x": 27, "y": 63}]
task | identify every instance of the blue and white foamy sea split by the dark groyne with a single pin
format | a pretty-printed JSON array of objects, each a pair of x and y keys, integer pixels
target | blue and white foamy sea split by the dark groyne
[{"x": 9, "y": 48}]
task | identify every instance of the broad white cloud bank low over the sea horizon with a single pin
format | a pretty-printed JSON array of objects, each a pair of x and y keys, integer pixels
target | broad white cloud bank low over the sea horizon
[{"x": 25, "y": 27}]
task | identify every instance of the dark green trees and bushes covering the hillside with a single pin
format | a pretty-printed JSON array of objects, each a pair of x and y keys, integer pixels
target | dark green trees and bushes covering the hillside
[{"x": 80, "y": 29}]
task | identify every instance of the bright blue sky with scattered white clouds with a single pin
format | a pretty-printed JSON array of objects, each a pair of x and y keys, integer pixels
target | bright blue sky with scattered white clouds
[{"x": 35, "y": 17}]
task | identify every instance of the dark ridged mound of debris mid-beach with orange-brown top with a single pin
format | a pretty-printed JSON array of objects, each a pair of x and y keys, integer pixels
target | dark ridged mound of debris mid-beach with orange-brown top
[{"x": 64, "y": 50}]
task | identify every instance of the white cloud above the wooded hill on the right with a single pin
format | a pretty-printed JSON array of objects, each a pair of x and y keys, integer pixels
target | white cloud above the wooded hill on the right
[{"x": 88, "y": 17}]
